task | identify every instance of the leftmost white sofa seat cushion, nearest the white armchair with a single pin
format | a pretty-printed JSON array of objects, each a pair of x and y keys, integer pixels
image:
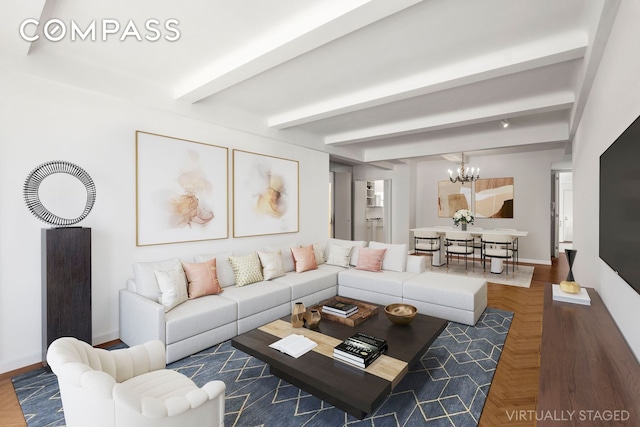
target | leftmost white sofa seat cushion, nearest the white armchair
[{"x": 199, "y": 315}]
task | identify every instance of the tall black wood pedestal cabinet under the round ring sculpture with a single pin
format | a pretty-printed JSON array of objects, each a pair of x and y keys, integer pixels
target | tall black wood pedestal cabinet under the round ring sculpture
[{"x": 66, "y": 284}]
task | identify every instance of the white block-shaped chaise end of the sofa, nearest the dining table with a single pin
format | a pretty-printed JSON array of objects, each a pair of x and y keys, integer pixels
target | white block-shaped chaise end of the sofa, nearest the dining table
[{"x": 456, "y": 298}]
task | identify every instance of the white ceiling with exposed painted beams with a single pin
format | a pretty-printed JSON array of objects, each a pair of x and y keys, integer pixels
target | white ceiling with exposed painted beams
[{"x": 377, "y": 81}]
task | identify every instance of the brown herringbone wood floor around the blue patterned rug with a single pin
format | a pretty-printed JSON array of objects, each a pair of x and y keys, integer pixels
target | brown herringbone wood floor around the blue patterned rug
[{"x": 515, "y": 385}]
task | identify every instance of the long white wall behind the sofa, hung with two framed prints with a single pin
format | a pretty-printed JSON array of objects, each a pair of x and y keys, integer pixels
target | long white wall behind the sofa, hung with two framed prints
[{"x": 44, "y": 121}]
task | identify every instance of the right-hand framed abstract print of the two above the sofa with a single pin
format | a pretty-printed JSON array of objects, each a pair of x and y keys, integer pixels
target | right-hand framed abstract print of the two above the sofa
[{"x": 265, "y": 194}]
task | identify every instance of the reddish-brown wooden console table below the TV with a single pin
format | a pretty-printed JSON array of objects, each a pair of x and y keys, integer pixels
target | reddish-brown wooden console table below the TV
[{"x": 588, "y": 374}]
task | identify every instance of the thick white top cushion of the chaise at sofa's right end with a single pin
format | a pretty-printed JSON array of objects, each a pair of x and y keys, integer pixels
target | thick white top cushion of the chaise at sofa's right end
[{"x": 465, "y": 293}]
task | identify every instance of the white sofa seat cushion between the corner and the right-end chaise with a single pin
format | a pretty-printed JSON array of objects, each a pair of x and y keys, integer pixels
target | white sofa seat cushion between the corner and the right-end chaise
[{"x": 385, "y": 282}]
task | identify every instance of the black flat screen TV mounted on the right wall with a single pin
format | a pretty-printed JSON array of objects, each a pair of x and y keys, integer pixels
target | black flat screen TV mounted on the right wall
[{"x": 620, "y": 205}]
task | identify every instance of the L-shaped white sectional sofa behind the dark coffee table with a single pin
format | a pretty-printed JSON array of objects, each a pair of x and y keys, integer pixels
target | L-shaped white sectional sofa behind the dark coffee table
[{"x": 199, "y": 323}]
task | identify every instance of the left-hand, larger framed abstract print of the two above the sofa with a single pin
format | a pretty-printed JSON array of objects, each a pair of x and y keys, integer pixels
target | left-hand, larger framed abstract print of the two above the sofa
[{"x": 181, "y": 190}]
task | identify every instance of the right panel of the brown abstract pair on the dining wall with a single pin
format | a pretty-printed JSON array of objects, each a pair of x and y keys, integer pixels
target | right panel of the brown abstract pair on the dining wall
[{"x": 494, "y": 198}]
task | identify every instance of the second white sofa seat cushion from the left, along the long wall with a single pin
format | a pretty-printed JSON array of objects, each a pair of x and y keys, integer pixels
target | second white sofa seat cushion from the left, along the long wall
[{"x": 257, "y": 297}]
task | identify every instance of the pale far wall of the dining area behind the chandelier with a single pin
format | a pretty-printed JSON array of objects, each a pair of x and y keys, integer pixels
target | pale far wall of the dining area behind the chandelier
[{"x": 531, "y": 174}]
